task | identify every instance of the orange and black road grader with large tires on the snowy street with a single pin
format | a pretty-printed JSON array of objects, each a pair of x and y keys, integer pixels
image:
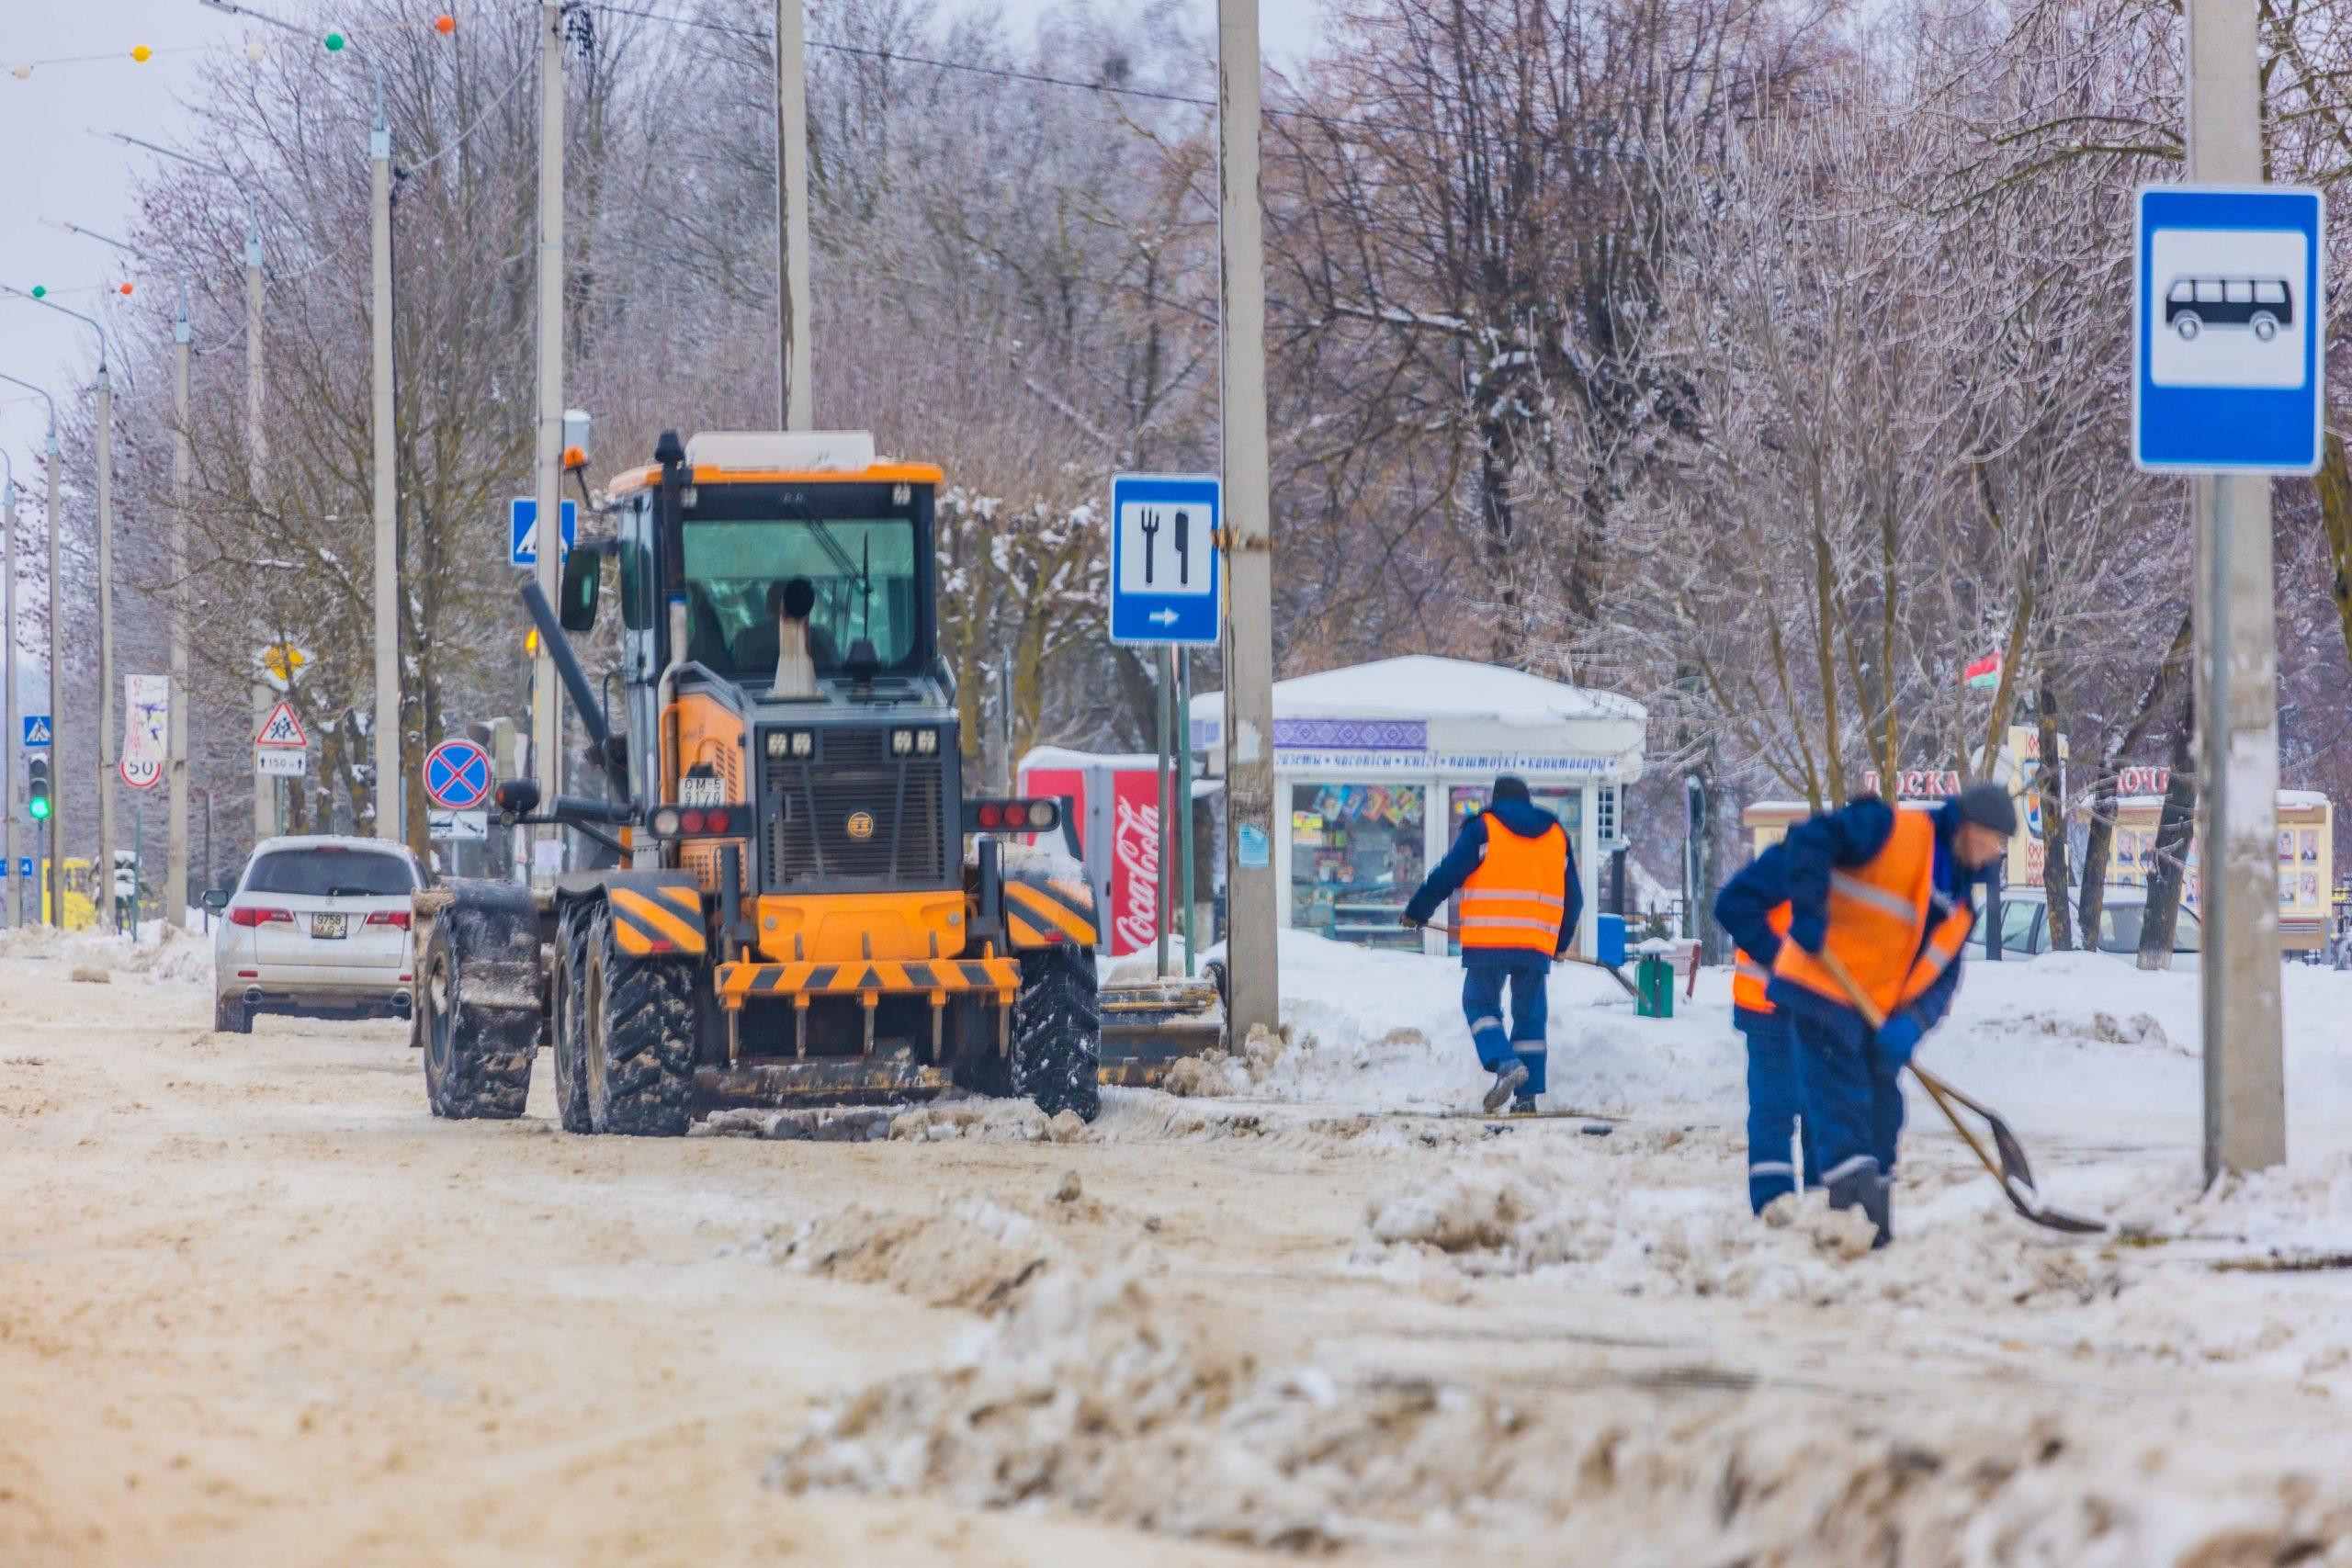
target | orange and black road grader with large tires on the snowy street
[{"x": 796, "y": 902}]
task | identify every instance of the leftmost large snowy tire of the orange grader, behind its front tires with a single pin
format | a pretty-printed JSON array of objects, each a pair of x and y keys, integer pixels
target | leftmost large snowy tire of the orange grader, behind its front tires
[{"x": 479, "y": 1010}]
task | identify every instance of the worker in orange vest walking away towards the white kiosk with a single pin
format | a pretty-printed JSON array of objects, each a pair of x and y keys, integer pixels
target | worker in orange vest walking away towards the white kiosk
[{"x": 1521, "y": 904}]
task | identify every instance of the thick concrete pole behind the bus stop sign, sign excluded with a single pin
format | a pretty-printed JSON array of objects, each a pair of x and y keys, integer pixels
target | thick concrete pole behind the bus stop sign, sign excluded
[{"x": 2238, "y": 669}]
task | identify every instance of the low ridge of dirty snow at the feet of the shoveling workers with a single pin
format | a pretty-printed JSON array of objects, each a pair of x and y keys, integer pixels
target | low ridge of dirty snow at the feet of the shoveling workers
[{"x": 1523, "y": 1212}]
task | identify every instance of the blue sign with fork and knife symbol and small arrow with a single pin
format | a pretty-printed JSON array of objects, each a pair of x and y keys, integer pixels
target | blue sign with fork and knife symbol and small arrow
[{"x": 1168, "y": 582}]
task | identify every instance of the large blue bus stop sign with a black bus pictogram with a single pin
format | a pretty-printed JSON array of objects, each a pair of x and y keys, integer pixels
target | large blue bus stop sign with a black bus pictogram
[{"x": 2229, "y": 330}]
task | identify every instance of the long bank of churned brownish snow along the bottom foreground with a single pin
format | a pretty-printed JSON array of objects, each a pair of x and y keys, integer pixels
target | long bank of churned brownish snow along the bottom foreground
[{"x": 1095, "y": 1398}]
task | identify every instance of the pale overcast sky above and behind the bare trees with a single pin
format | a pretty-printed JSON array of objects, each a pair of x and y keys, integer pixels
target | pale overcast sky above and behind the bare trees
[{"x": 60, "y": 173}]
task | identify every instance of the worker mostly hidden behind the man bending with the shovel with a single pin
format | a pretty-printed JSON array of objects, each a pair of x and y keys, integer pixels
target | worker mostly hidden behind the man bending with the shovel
[{"x": 1753, "y": 909}]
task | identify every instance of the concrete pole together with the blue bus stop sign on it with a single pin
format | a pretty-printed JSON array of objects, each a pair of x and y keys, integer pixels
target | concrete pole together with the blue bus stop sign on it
[{"x": 2226, "y": 384}]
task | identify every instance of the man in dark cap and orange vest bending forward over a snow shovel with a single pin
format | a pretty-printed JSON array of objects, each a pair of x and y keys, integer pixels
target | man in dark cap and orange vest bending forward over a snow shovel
[{"x": 1880, "y": 899}]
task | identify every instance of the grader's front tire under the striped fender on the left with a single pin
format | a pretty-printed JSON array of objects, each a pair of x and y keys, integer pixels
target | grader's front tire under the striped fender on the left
[{"x": 639, "y": 1038}]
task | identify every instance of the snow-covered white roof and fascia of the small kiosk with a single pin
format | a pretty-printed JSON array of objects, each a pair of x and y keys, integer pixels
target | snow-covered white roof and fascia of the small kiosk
[{"x": 1445, "y": 713}]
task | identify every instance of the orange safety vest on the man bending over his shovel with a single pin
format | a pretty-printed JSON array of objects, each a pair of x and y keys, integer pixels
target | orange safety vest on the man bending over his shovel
[{"x": 1880, "y": 918}]
